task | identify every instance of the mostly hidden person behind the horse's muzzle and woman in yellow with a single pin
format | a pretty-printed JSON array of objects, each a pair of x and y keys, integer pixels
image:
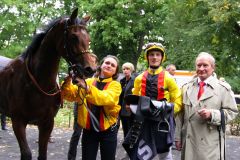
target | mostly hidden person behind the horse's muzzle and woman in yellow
[{"x": 77, "y": 130}]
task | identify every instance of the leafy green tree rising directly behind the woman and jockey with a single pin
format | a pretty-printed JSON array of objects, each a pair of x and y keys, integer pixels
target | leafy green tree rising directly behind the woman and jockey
[{"x": 122, "y": 27}]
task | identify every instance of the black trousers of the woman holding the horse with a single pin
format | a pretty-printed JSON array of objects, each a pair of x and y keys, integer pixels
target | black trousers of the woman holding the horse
[{"x": 107, "y": 141}]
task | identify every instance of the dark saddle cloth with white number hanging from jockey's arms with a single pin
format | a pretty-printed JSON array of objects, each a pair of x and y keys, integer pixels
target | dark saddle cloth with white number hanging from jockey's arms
[{"x": 151, "y": 140}]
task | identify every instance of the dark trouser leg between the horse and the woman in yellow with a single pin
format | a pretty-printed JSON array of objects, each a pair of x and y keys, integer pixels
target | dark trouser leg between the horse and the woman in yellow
[{"x": 77, "y": 130}]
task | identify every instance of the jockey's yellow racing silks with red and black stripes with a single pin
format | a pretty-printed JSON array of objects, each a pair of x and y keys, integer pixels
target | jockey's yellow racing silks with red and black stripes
[{"x": 158, "y": 85}]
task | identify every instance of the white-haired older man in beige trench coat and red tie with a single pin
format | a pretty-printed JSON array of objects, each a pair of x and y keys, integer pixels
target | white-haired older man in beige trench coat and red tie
[{"x": 208, "y": 103}]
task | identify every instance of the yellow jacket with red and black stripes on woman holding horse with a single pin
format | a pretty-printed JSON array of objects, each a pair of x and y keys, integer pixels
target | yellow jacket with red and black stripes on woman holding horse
[{"x": 103, "y": 96}]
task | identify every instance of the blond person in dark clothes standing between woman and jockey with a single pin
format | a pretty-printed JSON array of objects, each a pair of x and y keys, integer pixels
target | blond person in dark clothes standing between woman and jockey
[{"x": 127, "y": 84}]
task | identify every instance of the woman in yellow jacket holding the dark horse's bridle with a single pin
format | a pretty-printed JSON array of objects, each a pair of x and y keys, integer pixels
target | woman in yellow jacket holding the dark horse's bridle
[{"x": 98, "y": 111}]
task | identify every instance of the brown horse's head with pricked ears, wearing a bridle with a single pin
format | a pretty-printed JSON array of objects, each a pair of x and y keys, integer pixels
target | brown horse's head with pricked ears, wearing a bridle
[{"x": 76, "y": 44}]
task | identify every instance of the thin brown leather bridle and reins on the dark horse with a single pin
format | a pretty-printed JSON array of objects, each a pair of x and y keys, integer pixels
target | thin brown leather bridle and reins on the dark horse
[{"x": 68, "y": 56}]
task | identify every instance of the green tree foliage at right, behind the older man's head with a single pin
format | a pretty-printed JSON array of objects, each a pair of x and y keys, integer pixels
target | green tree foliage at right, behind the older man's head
[{"x": 205, "y": 25}]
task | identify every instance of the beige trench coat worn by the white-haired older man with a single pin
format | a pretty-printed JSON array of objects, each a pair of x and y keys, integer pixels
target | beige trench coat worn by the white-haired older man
[{"x": 200, "y": 138}]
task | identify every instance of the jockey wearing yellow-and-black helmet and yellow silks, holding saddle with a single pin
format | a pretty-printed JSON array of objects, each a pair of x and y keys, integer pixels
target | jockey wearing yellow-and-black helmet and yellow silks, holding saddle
[{"x": 157, "y": 84}]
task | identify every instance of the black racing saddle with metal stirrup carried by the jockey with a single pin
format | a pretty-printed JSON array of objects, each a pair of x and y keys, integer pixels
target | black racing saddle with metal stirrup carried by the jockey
[{"x": 144, "y": 108}]
